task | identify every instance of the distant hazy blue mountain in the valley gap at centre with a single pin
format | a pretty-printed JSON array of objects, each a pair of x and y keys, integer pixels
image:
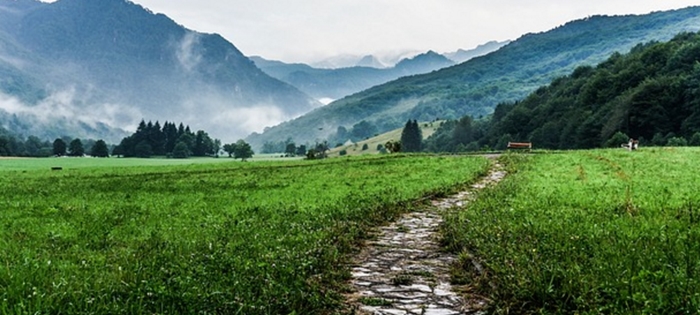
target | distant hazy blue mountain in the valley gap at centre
[{"x": 337, "y": 83}]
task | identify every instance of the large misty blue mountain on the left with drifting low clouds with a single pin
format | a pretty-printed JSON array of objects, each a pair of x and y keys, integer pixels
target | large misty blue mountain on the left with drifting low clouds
[{"x": 108, "y": 64}]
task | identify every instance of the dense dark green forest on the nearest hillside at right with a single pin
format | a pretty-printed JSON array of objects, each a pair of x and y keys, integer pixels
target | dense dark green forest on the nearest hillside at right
[{"x": 651, "y": 94}]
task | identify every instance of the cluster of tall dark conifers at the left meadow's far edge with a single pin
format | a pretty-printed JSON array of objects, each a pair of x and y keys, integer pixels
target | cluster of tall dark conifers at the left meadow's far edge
[{"x": 169, "y": 140}]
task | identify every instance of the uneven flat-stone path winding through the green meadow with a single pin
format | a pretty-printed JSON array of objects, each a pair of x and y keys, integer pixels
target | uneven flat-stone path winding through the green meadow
[{"x": 404, "y": 272}]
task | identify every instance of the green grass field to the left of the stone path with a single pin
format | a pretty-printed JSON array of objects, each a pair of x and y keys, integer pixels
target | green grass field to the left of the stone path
[{"x": 221, "y": 238}]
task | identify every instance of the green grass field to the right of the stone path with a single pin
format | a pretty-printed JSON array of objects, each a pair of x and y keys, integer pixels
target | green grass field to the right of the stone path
[{"x": 586, "y": 232}]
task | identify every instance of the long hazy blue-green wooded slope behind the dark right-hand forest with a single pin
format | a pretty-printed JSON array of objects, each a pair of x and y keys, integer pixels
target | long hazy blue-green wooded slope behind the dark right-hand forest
[{"x": 476, "y": 86}]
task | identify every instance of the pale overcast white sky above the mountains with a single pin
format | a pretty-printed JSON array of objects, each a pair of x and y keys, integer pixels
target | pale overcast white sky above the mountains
[{"x": 312, "y": 30}]
